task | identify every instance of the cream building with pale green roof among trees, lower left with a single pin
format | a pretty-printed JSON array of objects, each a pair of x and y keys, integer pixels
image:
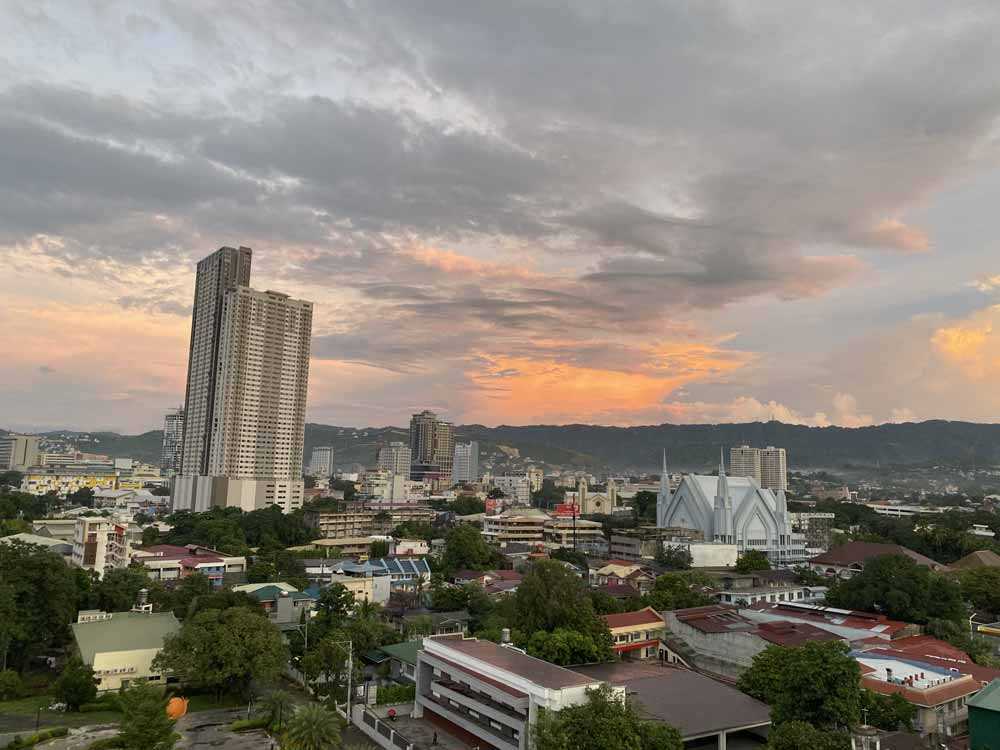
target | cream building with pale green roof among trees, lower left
[{"x": 120, "y": 646}]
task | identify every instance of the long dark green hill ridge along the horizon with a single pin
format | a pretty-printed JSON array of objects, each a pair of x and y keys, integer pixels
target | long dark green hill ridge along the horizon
[{"x": 689, "y": 447}]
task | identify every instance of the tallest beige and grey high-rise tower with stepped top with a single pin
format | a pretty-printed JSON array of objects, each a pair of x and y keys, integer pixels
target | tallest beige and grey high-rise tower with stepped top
[{"x": 246, "y": 394}]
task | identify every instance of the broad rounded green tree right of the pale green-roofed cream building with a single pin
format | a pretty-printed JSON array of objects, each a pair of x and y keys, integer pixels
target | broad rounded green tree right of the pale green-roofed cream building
[{"x": 224, "y": 650}]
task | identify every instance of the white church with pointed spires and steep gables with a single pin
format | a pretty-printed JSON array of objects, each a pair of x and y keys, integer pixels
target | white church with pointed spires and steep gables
[{"x": 731, "y": 510}]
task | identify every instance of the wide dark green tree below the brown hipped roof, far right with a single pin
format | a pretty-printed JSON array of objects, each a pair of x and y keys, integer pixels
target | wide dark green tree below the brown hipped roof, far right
[{"x": 901, "y": 589}]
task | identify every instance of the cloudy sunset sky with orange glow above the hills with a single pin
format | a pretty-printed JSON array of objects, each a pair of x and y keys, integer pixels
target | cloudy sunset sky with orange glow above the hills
[{"x": 511, "y": 213}]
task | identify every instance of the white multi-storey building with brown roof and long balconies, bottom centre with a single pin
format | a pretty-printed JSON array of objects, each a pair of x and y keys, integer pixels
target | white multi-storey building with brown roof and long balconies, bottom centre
[{"x": 488, "y": 694}]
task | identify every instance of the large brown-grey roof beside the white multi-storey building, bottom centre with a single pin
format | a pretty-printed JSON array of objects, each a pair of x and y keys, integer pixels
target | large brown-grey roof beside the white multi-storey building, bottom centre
[{"x": 697, "y": 705}]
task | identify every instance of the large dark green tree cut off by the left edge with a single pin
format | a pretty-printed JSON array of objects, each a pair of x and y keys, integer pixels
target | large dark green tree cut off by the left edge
[{"x": 38, "y": 599}]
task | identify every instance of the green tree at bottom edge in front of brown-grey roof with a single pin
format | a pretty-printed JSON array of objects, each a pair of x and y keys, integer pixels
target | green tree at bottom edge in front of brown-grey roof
[{"x": 607, "y": 721}]
